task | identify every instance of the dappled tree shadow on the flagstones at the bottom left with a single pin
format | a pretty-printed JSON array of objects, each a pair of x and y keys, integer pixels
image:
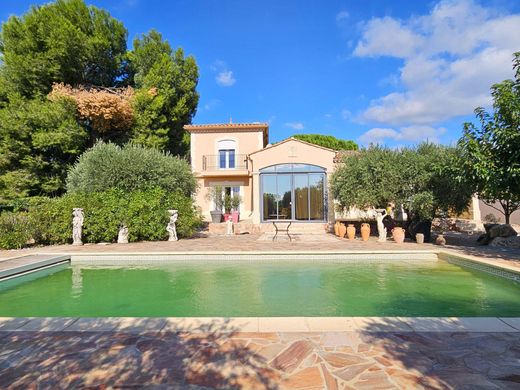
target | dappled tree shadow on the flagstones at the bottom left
[{"x": 183, "y": 358}]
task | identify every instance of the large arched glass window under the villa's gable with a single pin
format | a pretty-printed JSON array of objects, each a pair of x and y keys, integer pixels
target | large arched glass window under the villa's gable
[{"x": 293, "y": 192}]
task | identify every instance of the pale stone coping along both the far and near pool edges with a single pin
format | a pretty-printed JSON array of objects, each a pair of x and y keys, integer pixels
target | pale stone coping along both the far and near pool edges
[{"x": 269, "y": 324}]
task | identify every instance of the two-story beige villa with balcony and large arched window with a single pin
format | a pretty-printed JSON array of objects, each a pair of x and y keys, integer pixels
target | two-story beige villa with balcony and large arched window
[{"x": 284, "y": 181}]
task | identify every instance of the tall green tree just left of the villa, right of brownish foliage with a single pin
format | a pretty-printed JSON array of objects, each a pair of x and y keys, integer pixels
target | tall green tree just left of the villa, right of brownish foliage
[{"x": 166, "y": 98}]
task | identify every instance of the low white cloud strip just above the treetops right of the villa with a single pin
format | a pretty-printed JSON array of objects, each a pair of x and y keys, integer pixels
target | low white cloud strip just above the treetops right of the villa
[{"x": 379, "y": 135}]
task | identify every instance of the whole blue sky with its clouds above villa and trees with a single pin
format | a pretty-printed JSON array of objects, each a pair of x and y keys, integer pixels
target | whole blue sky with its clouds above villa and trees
[{"x": 391, "y": 72}]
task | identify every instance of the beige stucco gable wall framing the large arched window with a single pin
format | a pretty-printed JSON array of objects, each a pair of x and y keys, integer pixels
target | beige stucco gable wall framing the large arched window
[{"x": 288, "y": 152}]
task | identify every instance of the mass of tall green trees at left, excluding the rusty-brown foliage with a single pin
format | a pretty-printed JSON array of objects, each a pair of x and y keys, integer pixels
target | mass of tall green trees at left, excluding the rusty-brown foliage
[{"x": 68, "y": 42}]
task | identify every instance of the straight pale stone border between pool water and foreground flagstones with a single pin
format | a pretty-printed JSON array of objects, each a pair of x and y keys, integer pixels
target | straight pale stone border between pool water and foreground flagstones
[{"x": 260, "y": 324}]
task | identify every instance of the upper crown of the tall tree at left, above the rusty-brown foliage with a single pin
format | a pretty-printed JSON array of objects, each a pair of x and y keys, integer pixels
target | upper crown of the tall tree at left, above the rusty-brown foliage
[{"x": 65, "y": 41}]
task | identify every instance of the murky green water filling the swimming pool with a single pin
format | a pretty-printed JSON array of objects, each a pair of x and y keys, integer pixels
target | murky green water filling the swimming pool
[{"x": 430, "y": 288}]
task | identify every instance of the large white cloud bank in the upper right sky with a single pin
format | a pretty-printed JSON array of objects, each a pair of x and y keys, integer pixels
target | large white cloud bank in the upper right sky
[{"x": 451, "y": 57}]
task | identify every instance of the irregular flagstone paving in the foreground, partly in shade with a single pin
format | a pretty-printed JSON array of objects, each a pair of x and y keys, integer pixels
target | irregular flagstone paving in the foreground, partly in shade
[{"x": 219, "y": 359}]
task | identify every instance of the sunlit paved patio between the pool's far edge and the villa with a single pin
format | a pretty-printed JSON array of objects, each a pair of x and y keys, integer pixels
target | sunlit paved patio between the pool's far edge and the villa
[{"x": 254, "y": 243}]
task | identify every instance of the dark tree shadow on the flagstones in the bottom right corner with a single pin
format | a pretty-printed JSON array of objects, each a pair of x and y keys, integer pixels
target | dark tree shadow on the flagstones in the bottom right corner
[{"x": 446, "y": 360}]
